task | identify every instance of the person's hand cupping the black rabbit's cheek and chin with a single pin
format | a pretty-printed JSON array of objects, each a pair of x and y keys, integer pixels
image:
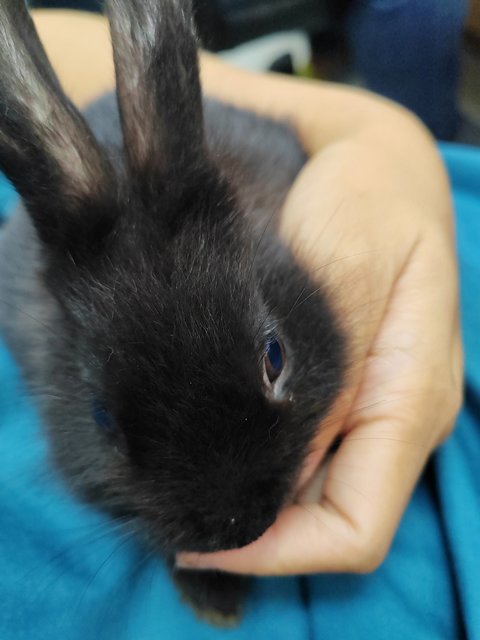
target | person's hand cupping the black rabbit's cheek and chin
[{"x": 383, "y": 242}]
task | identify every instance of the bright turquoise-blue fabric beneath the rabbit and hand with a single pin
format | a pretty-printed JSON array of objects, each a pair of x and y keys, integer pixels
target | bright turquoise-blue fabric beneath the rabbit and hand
[{"x": 67, "y": 572}]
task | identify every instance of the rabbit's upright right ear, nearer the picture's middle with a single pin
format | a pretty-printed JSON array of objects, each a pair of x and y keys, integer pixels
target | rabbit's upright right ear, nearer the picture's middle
[{"x": 158, "y": 87}]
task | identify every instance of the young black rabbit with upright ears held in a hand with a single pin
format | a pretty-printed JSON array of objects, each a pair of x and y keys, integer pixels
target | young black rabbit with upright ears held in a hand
[{"x": 141, "y": 277}]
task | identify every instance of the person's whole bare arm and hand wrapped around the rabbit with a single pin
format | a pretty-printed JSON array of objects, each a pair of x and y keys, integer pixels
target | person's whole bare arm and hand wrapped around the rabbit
[{"x": 371, "y": 216}]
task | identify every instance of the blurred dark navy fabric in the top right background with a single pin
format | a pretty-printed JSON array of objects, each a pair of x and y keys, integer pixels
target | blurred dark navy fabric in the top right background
[{"x": 409, "y": 51}]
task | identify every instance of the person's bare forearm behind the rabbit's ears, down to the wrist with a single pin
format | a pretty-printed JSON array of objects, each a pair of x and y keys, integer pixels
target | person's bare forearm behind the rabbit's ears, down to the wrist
[{"x": 384, "y": 147}]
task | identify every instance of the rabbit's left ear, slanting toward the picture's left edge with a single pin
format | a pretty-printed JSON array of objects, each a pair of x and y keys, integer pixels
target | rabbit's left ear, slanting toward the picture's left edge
[{"x": 46, "y": 148}]
